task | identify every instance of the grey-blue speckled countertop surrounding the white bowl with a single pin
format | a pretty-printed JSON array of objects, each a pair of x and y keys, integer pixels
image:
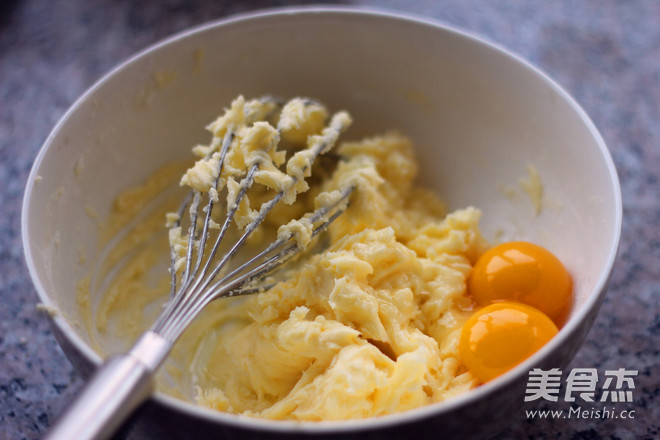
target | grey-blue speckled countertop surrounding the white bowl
[{"x": 605, "y": 53}]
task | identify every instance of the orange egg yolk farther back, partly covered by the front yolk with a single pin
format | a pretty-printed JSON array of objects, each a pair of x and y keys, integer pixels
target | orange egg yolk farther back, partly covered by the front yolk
[{"x": 522, "y": 272}]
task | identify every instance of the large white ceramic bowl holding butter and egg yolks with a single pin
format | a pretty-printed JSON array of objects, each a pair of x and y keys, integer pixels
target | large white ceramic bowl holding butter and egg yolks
[{"x": 477, "y": 114}]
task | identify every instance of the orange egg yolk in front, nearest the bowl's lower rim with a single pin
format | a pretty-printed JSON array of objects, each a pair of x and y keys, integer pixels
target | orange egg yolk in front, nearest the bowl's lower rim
[{"x": 502, "y": 335}]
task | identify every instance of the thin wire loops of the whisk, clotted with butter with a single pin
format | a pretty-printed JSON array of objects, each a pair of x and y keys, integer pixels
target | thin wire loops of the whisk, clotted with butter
[{"x": 201, "y": 282}]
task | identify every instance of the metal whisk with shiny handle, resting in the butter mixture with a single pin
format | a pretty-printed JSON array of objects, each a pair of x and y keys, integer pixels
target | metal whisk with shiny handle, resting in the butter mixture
[{"x": 124, "y": 382}]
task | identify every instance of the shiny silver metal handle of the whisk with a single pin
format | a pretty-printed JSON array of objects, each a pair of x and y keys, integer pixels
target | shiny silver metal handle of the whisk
[{"x": 113, "y": 393}]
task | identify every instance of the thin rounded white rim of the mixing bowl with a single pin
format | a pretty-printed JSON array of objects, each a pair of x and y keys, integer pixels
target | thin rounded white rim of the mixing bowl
[{"x": 326, "y": 427}]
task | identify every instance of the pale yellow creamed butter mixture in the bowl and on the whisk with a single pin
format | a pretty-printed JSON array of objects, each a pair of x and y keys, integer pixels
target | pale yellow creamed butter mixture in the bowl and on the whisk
[{"x": 367, "y": 326}]
